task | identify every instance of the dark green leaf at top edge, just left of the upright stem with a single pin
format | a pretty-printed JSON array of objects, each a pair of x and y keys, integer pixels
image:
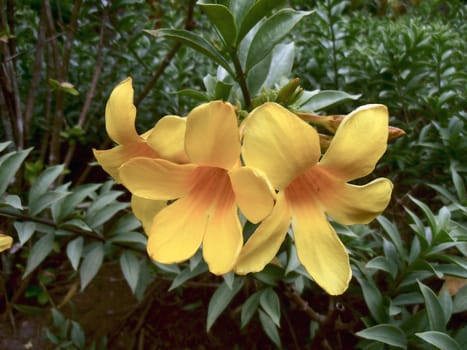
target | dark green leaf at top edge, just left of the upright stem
[{"x": 221, "y": 17}]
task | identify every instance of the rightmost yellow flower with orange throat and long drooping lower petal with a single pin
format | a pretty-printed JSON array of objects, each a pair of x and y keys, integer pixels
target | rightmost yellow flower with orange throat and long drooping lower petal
[{"x": 287, "y": 150}]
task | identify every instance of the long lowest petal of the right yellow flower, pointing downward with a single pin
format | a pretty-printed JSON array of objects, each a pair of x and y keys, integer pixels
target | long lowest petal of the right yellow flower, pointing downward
[{"x": 319, "y": 248}]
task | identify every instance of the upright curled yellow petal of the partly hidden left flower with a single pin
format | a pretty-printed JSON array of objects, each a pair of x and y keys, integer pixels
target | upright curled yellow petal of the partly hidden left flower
[{"x": 120, "y": 114}]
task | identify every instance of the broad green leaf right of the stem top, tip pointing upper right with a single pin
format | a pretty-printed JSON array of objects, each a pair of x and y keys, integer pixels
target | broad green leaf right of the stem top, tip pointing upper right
[{"x": 270, "y": 33}]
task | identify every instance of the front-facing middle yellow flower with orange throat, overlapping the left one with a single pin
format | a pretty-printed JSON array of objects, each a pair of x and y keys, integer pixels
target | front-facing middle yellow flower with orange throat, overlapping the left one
[{"x": 208, "y": 192}]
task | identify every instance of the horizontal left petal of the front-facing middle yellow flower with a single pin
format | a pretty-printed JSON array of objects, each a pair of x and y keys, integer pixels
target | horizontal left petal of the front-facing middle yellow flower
[{"x": 156, "y": 178}]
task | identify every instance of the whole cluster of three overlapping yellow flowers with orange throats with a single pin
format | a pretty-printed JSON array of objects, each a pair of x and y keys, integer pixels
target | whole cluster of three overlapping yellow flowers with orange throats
[{"x": 189, "y": 178}]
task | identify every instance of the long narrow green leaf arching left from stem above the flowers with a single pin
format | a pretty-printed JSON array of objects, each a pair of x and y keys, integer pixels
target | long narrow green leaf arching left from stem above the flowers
[{"x": 196, "y": 42}]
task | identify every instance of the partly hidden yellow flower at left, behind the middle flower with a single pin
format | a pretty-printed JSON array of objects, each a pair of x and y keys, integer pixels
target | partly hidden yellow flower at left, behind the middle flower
[{"x": 165, "y": 140}]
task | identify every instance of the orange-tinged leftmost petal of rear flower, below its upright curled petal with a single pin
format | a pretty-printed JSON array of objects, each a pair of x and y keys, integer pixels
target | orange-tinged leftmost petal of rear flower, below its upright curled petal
[{"x": 111, "y": 159}]
